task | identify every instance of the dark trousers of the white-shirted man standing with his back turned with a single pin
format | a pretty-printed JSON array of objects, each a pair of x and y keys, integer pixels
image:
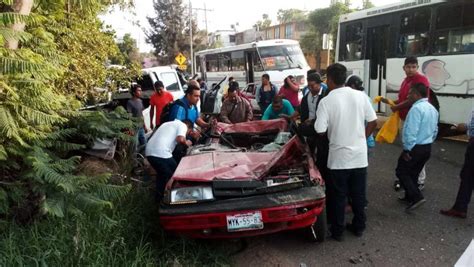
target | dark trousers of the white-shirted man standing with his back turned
[{"x": 350, "y": 182}]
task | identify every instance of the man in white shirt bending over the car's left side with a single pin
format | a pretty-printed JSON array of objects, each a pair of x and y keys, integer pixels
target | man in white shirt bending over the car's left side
[{"x": 160, "y": 146}]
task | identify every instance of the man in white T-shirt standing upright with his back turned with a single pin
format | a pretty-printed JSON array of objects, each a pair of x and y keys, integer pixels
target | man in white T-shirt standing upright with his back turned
[{"x": 342, "y": 115}]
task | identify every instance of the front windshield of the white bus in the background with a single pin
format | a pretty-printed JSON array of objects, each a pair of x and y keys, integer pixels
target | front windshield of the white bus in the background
[{"x": 282, "y": 57}]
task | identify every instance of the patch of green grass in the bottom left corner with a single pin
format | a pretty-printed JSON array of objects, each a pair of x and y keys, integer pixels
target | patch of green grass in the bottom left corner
[{"x": 134, "y": 240}]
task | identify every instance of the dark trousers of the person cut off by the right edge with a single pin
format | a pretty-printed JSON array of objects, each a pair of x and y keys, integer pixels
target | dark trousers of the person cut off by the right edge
[{"x": 467, "y": 180}]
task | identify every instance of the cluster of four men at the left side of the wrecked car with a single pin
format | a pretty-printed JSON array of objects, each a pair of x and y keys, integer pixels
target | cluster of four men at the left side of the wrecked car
[{"x": 173, "y": 123}]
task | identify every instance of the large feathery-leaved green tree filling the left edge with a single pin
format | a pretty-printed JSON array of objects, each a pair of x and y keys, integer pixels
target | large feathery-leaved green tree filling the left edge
[{"x": 38, "y": 51}]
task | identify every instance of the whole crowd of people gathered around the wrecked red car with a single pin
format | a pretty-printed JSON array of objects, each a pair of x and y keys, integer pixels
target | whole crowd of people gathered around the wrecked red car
[{"x": 337, "y": 120}]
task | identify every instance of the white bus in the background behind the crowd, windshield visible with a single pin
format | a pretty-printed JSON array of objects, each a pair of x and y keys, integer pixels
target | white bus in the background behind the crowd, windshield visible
[{"x": 248, "y": 62}]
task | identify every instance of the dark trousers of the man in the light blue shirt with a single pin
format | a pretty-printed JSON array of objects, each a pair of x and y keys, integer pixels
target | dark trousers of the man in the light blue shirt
[{"x": 408, "y": 171}]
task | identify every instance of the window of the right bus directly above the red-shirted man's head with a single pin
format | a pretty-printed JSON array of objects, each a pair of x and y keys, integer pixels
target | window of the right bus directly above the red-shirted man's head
[{"x": 414, "y": 28}]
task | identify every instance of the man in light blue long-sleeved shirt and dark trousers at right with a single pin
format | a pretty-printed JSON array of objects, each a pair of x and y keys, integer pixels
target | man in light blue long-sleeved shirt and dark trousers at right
[{"x": 419, "y": 131}]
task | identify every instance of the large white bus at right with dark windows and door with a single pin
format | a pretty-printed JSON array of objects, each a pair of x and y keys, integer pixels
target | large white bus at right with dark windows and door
[{"x": 373, "y": 44}]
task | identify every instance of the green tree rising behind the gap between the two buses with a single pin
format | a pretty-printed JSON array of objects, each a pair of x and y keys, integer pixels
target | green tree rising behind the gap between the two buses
[{"x": 322, "y": 21}]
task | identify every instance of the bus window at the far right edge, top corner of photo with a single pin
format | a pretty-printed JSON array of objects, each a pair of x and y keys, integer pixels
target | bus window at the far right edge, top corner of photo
[{"x": 454, "y": 29}]
